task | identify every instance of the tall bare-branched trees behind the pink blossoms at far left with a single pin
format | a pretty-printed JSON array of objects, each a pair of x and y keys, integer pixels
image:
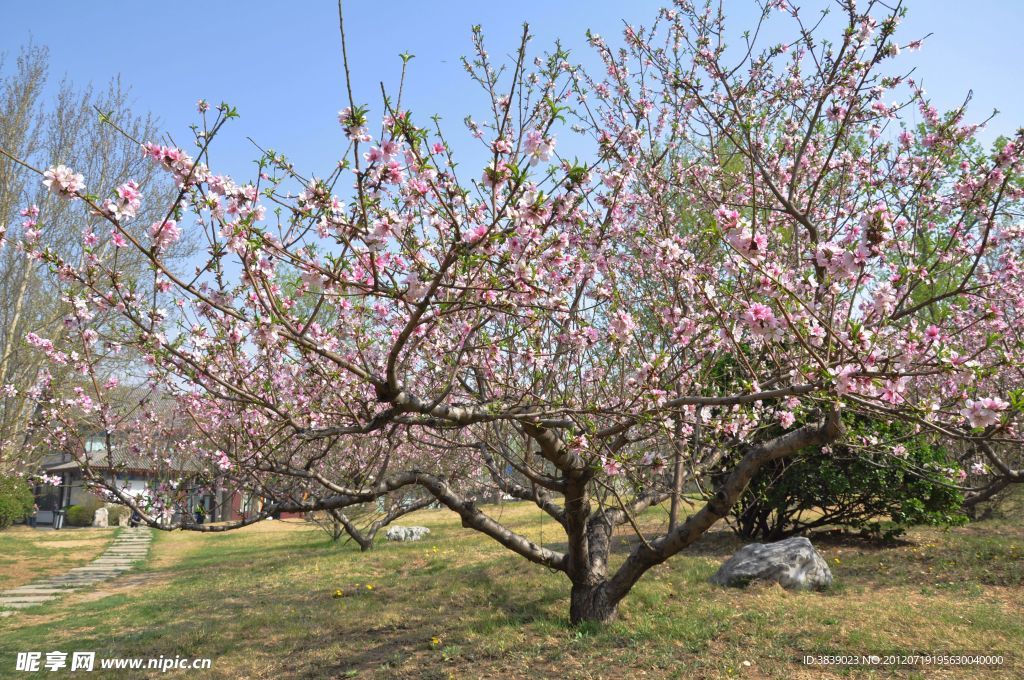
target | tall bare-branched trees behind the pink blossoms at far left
[{"x": 50, "y": 125}]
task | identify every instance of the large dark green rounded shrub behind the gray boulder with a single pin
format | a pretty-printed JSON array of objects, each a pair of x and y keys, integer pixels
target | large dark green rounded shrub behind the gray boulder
[{"x": 876, "y": 493}]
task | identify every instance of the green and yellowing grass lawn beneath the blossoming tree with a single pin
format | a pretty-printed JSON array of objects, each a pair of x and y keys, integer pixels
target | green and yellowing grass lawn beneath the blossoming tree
[{"x": 261, "y": 604}]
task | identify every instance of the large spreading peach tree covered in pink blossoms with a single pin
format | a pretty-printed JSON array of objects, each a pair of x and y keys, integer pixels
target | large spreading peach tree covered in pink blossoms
[{"x": 762, "y": 239}]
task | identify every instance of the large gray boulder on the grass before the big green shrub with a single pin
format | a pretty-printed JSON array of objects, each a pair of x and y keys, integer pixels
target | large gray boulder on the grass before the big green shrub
[{"x": 792, "y": 564}]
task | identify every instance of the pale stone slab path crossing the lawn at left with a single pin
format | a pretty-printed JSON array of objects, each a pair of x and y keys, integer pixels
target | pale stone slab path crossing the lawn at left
[{"x": 131, "y": 547}]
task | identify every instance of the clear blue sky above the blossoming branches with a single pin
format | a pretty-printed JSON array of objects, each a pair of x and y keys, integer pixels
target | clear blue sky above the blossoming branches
[{"x": 280, "y": 63}]
